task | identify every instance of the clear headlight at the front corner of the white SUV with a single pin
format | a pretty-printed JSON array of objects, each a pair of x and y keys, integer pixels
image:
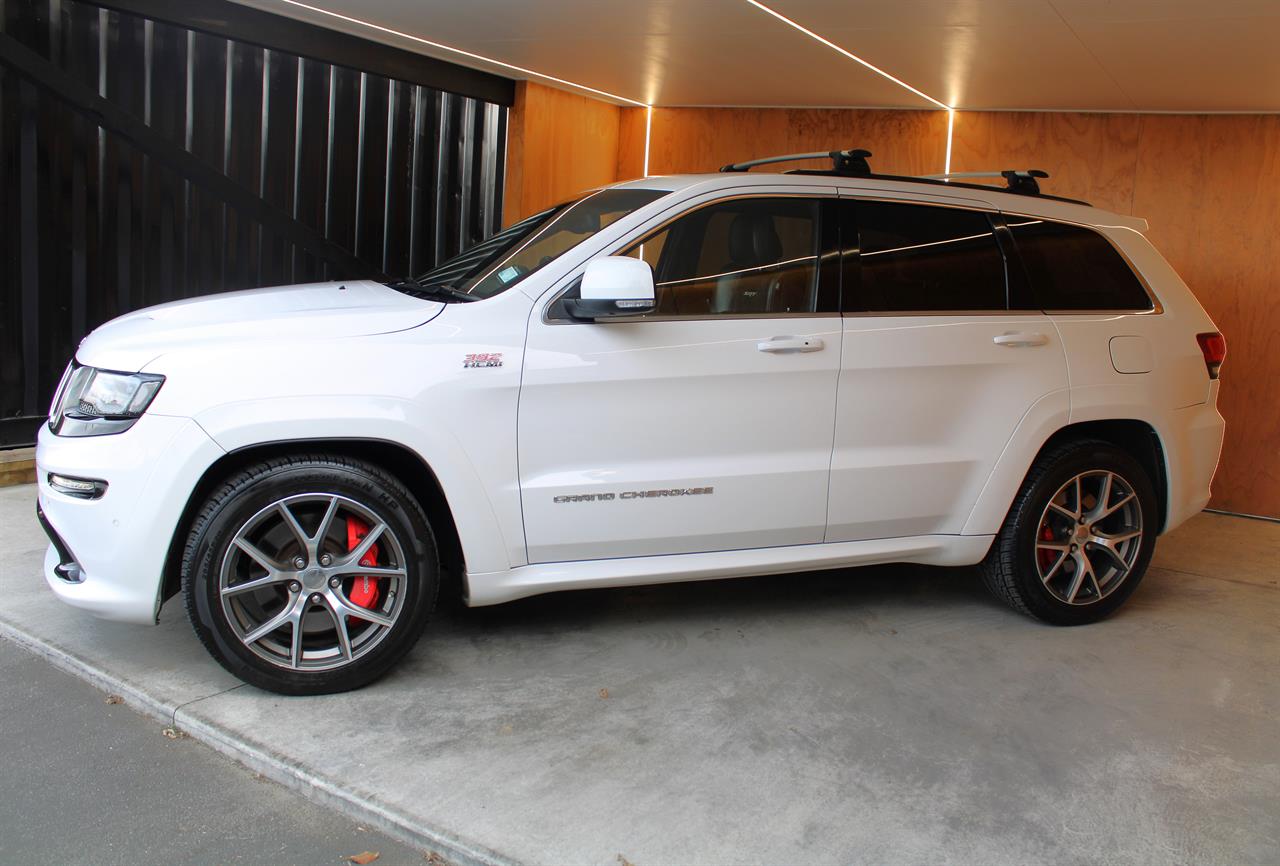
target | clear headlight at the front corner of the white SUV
[{"x": 93, "y": 402}]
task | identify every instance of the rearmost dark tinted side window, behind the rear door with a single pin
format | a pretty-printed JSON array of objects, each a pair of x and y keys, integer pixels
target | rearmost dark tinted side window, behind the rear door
[{"x": 1073, "y": 268}]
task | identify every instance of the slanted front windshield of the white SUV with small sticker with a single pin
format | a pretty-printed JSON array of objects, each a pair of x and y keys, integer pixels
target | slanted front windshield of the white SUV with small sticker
[{"x": 495, "y": 265}]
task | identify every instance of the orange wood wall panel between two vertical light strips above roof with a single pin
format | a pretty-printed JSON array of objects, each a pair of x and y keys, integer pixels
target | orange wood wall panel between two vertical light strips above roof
[{"x": 703, "y": 140}]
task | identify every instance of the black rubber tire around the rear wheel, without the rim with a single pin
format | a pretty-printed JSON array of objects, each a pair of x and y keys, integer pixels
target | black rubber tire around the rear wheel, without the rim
[{"x": 1012, "y": 570}]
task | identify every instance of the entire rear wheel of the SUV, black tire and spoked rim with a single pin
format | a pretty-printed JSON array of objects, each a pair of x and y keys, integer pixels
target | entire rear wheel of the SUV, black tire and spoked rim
[{"x": 1078, "y": 538}]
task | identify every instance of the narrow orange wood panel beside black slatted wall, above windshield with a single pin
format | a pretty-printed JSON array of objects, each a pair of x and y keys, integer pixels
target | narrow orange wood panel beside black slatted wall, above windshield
[{"x": 559, "y": 145}]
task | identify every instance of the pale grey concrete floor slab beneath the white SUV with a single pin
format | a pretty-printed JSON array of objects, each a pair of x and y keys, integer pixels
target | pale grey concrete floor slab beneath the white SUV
[{"x": 884, "y": 716}]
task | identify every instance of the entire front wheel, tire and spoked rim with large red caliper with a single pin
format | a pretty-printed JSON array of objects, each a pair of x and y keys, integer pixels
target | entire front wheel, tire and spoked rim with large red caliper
[{"x": 310, "y": 575}]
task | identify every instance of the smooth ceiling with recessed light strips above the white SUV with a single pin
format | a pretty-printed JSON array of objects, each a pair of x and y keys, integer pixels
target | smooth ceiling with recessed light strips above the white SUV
[{"x": 1100, "y": 56}]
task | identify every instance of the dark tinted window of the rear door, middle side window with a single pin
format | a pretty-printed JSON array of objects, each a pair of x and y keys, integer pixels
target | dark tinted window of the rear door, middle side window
[{"x": 917, "y": 258}]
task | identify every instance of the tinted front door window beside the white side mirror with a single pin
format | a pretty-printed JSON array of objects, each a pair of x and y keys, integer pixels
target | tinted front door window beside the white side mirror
[{"x": 739, "y": 258}]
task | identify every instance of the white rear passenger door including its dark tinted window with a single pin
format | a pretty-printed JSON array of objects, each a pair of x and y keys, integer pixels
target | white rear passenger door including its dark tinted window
[{"x": 936, "y": 372}]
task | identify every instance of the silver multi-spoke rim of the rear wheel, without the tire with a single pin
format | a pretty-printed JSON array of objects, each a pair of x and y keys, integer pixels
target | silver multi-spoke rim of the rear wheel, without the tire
[{"x": 1089, "y": 538}]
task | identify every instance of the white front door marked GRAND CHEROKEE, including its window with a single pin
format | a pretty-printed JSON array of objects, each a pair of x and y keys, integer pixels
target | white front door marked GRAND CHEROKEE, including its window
[{"x": 706, "y": 425}]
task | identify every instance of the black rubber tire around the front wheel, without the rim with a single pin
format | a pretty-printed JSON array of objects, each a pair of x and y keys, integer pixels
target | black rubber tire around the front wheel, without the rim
[{"x": 250, "y": 493}]
